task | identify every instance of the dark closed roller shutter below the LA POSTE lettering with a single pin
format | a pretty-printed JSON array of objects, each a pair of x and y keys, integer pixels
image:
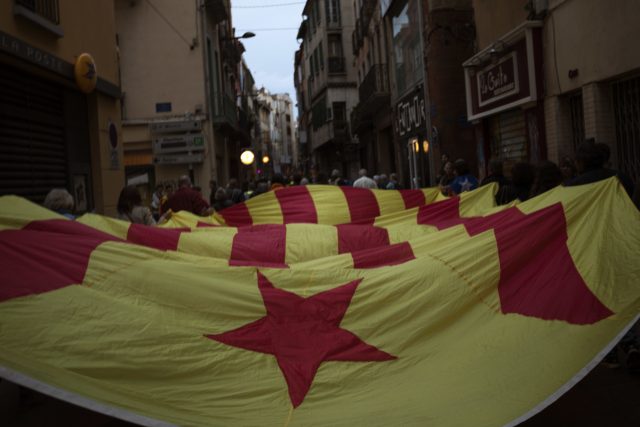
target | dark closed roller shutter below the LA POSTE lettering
[{"x": 32, "y": 137}]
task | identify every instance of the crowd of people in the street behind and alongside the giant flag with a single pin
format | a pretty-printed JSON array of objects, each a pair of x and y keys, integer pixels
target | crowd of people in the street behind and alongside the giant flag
[{"x": 524, "y": 181}]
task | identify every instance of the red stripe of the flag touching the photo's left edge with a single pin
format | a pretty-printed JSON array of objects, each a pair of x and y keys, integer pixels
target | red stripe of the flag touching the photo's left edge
[{"x": 45, "y": 256}]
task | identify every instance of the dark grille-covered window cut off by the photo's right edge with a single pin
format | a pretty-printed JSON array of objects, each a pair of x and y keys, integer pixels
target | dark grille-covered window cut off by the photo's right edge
[{"x": 626, "y": 105}]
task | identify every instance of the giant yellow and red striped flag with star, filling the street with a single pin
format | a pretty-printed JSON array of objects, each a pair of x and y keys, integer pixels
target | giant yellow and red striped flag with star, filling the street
[{"x": 483, "y": 320}]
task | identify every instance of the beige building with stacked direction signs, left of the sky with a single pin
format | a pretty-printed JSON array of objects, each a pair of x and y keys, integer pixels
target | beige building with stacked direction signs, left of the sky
[{"x": 187, "y": 107}]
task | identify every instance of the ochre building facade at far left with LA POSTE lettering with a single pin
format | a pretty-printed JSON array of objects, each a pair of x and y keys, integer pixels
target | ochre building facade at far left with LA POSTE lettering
[{"x": 57, "y": 130}]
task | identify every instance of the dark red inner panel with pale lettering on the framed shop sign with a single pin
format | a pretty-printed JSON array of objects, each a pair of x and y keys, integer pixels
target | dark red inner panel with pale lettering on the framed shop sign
[{"x": 498, "y": 81}]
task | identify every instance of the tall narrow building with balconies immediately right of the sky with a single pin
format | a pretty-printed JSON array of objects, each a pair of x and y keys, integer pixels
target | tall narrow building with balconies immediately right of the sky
[{"x": 331, "y": 88}]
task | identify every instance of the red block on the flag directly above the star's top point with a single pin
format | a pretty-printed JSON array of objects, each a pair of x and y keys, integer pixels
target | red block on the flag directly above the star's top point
[{"x": 260, "y": 246}]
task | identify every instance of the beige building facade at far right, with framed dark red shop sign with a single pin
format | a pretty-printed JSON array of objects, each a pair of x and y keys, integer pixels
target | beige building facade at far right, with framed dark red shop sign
[{"x": 581, "y": 57}]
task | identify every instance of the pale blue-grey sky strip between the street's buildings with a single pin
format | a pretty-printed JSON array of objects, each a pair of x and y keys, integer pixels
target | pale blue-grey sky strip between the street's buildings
[{"x": 269, "y": 54}]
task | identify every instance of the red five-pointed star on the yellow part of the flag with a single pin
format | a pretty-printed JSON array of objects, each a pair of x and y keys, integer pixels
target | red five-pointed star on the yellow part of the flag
[{"x": 302, "y": 333}]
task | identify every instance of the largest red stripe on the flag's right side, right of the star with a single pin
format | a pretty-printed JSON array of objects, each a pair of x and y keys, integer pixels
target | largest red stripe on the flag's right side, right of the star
[{"x": 538, "y": 277}]
